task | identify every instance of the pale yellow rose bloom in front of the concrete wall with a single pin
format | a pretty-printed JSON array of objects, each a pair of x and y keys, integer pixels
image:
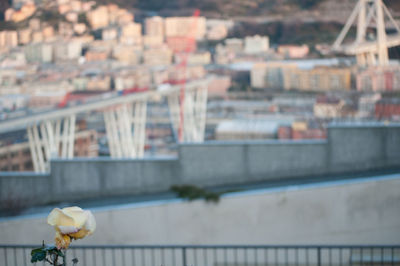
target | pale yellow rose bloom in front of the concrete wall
[{"x": 71, "y": 222}]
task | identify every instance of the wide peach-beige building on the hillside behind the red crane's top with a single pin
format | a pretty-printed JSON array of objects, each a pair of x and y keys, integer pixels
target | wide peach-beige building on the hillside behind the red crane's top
[{"x": 194, "y": 27}]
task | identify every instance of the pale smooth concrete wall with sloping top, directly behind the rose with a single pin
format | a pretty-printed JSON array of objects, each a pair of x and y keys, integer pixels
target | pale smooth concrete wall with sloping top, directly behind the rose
[{"x": 361, "y": 211}]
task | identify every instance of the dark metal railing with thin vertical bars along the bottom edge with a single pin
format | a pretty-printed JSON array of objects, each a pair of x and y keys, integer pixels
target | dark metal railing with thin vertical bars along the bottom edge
[{"x": 215, "y": 255}]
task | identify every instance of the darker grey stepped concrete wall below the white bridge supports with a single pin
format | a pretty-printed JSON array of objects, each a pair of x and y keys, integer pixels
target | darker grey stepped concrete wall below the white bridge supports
[{"x": 347, "y": 149}]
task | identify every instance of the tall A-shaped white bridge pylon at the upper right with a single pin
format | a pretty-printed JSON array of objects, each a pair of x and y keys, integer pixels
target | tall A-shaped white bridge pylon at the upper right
[{"x": 369, "y": 52}]
